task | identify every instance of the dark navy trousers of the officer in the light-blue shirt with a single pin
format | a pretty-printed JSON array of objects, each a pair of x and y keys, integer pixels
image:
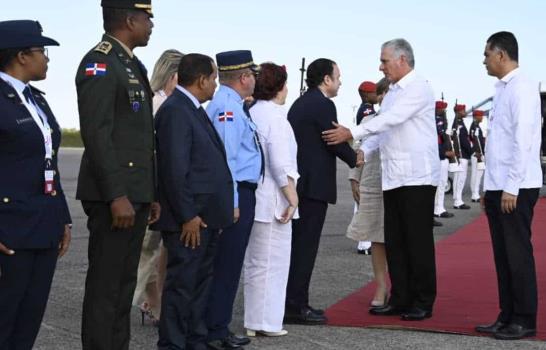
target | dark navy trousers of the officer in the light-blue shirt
[{"x": 228, "y": 264}]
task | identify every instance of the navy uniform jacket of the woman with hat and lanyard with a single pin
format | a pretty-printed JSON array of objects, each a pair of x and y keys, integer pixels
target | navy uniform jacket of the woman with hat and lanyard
[{"x": 28, "y": 218}]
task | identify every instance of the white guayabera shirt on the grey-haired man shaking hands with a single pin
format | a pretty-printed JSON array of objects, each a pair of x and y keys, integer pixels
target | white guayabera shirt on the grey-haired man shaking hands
[{"x": 405, "y": 133}]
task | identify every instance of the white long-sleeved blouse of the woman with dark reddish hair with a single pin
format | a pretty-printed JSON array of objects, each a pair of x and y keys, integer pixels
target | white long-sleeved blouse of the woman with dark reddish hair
[{"x": 280, "y": 152}]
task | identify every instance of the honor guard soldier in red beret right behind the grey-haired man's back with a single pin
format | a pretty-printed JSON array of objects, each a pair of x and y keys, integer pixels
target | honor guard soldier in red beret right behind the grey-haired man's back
[{"x": 445, "y": 152}]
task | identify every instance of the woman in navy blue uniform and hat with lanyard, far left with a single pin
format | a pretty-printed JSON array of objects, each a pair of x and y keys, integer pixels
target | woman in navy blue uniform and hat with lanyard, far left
[{"x": 34, "y": 216}]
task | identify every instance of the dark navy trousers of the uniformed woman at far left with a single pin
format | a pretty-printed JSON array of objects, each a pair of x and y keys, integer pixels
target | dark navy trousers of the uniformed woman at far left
[{"x": 25, "y": 281}]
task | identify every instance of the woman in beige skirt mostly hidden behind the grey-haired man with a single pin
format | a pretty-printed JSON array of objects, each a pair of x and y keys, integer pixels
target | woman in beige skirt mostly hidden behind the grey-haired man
[{"x": 367, "y": 223}]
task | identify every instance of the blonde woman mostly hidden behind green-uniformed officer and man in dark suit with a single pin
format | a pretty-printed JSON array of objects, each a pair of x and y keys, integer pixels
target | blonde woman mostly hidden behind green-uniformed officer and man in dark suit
[{"x": 153, "y": 256}]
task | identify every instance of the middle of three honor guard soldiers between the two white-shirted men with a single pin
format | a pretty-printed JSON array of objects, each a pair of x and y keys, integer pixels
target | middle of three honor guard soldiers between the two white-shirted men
[{"x": 460, "y": 137}]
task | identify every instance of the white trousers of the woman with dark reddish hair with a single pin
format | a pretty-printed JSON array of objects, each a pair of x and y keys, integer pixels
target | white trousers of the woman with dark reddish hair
[{"x": 267, "y": 262}]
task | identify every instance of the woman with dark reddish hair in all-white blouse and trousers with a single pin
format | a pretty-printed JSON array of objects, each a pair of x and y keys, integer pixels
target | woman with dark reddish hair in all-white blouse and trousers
[{"x": 267, "y": 259}]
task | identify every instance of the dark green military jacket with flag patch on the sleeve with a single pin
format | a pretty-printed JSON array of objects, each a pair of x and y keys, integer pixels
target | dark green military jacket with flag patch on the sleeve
[{"x": 117, "y": 127}]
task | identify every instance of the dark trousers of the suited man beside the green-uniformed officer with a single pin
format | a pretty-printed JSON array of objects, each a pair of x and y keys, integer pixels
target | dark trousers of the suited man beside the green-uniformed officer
[{"x": 185, "y": 295}]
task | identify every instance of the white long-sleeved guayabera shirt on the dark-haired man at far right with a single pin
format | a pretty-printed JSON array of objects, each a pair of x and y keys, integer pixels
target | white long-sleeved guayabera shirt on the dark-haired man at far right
[{"x": 512, "y": 146}]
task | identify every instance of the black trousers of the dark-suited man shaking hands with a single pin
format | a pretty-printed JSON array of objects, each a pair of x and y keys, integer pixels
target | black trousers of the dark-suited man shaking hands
[{"x": 306, "y": 232}]
